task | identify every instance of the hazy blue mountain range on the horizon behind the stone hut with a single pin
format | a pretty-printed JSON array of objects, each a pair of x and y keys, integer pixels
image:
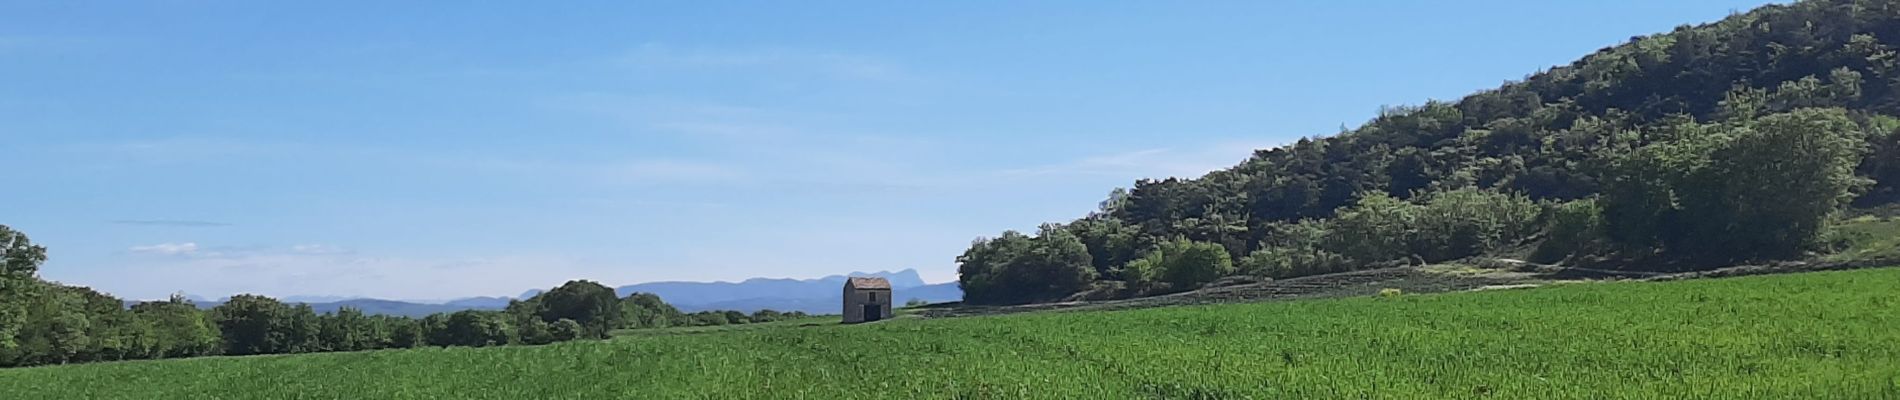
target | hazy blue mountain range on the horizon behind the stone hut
[{"x": 818, "y": 297}]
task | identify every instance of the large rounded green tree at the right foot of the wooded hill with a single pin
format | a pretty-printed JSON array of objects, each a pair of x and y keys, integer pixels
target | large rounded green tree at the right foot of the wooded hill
[{"x": 1741, "y": 191}]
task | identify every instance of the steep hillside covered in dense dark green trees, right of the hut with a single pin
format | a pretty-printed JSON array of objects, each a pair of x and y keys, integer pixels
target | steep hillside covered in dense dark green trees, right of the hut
[{"x": 1703, "y": 147}]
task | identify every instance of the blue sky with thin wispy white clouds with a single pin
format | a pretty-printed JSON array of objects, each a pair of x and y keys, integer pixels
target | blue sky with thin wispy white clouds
[{"x": 428, "y": 151}]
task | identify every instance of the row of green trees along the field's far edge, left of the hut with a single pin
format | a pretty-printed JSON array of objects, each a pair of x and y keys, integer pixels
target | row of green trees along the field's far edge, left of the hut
[{"x": 48, "y": 323}]
